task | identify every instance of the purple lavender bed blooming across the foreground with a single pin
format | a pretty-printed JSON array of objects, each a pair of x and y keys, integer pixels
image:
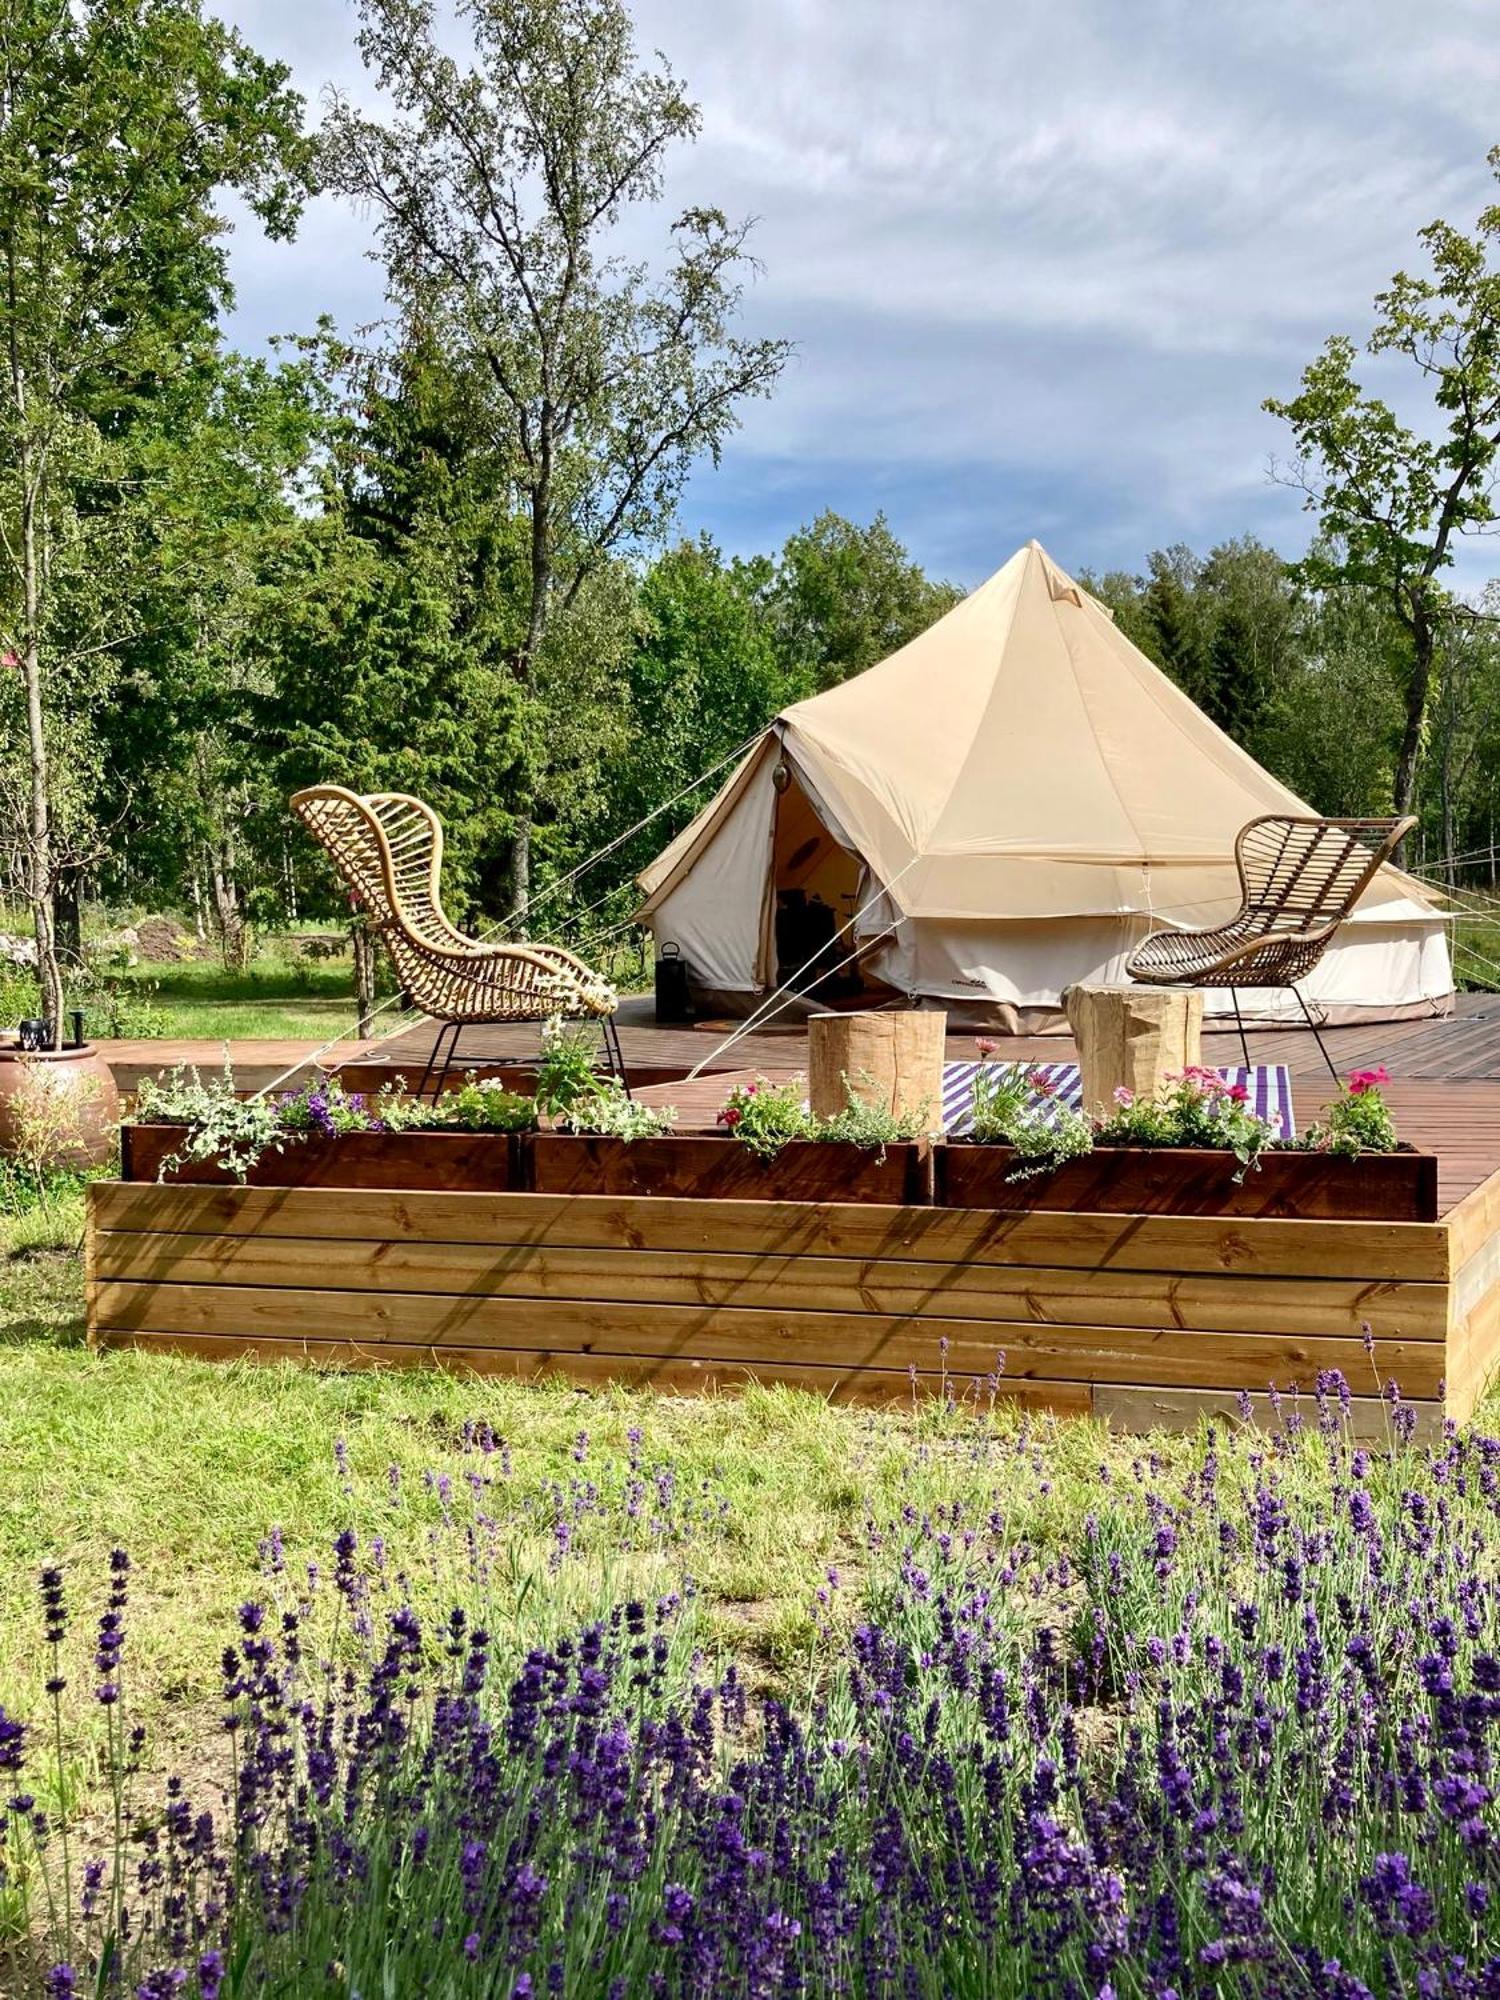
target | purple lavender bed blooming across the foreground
[{"x": 1239, "y": 1739}]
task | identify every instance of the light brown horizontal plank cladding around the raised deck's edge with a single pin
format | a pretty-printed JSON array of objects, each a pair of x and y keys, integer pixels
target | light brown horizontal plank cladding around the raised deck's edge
[{"x": 1141, "y": 1319}]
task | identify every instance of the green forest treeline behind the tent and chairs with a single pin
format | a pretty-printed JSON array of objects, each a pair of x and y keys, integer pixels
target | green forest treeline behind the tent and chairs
[{"x": 445, "y": 555}]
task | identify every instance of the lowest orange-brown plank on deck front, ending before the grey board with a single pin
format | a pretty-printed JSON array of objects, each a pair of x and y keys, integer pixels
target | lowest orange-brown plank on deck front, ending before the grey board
[{"x": 601, "y": 1371}]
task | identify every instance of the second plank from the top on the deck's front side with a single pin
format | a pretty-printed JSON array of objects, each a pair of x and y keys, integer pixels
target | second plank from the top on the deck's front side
[{"x": 1395, "y": 1309}]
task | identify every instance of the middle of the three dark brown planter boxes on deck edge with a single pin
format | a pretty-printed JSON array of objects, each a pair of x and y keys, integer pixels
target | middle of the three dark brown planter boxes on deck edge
[{"x": 723, "y": 1169}]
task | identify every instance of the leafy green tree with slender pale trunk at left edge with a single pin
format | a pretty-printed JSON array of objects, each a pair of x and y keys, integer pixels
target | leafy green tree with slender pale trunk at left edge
[{"x": 121, "y": 125}]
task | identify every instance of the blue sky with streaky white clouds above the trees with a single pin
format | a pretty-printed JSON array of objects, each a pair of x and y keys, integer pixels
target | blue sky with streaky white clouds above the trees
[{"x": 1041, "y": 263}]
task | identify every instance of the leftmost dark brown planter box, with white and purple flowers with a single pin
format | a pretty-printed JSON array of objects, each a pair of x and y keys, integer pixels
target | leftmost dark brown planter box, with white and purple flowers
[{"x": 459, "y": 1161}]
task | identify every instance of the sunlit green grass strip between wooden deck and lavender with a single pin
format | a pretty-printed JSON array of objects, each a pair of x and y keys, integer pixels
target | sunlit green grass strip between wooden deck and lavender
[{"x": 191, "y": 1467}]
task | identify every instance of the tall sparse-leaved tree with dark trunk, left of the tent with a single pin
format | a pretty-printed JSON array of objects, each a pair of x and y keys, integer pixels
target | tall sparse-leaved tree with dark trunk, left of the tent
[{"x": 501, "y": 195}]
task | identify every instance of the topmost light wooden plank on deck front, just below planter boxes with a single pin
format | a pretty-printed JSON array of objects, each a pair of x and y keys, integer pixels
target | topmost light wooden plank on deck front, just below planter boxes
[{"x": 1251, "y": 1247}]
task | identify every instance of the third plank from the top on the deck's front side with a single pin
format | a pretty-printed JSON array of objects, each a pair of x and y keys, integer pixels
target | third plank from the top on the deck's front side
[{"x": 749, "y": 1335}]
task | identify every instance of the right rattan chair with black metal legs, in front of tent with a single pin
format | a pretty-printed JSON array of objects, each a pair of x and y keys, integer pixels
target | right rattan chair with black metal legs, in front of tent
[{"x": 1299, "y": 883}]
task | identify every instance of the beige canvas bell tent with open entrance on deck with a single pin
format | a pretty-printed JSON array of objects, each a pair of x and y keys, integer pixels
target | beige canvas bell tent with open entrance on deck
[{"x": 1001, "y": 809}]
